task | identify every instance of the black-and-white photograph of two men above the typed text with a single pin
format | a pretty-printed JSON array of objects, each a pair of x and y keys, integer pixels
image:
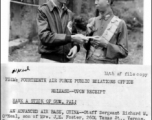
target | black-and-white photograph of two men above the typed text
[{"x": 76, "y": 31}]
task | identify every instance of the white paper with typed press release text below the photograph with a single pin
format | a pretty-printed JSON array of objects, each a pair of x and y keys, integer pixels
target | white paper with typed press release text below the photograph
[{"x": 72, "y": 92}]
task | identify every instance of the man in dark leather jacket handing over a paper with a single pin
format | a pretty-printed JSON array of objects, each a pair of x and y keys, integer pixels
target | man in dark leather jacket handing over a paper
[{"x": 56, "y": 42}]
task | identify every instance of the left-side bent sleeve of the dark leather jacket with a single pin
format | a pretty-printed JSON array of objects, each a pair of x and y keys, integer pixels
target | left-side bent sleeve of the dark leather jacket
[{"x": 46, "y": 36}]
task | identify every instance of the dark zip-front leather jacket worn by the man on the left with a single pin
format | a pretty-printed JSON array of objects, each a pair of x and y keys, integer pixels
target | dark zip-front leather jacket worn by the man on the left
[{"x": 55, "y": 39}]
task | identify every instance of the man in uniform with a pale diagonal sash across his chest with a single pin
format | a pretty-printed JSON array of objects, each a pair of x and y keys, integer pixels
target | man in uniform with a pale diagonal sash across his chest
[{"x": 110, "y": 36}]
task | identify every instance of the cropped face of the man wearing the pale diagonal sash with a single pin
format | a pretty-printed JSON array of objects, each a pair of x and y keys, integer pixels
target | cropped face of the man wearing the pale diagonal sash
[{"x": 101, "y": 5}]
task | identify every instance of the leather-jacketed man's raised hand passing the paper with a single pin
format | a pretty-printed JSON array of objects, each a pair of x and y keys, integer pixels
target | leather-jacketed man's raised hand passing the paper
[{"x": 79, "y": 38}]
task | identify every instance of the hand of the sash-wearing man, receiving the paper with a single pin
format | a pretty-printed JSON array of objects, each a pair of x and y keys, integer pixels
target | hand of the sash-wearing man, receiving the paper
[{"x": 99, "y": 41}]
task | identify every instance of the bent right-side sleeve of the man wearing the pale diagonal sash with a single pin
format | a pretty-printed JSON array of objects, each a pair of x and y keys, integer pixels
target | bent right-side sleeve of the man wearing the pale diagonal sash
[{"x": 120, "y": 49}]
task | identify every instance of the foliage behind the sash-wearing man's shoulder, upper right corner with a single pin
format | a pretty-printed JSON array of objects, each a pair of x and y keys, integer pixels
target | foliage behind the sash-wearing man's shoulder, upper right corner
[{"x": 129, "y": 11}]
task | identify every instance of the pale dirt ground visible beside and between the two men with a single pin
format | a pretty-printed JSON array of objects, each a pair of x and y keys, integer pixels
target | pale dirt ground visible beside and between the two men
[{"x": 29, "y": 53}]
